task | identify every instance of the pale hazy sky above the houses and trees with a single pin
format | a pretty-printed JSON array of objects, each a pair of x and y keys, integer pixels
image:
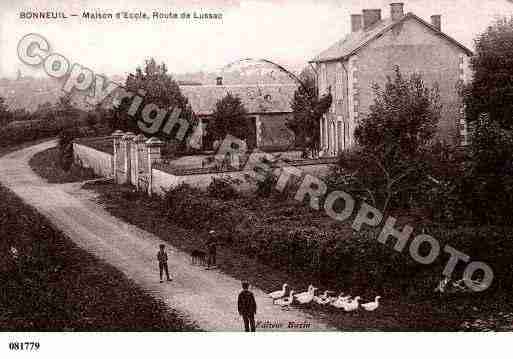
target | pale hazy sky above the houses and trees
[{"x": 288, "y": 32}]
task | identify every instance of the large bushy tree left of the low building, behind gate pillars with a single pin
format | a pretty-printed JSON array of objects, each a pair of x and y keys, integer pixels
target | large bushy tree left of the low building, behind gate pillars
[{"x": 160, "y": 89}]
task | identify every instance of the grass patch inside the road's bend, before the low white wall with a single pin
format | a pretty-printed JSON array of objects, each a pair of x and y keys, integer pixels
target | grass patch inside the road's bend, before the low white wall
[{"x": 46, "y": 165}]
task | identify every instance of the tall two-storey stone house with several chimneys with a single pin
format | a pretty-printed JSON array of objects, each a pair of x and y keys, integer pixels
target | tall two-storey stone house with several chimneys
[{"x": 369, "y": 54}]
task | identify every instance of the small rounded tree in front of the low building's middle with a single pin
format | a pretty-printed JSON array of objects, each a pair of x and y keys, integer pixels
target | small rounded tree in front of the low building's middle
[{"x": 229, "y": 118}]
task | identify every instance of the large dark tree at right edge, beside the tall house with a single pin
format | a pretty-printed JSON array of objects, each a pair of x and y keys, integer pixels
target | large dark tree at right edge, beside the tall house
[{"x": 487, "y": 186}]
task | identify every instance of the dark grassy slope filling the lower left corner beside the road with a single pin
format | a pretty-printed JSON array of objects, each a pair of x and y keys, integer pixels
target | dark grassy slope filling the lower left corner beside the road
[{"x": 55, "y": 286}]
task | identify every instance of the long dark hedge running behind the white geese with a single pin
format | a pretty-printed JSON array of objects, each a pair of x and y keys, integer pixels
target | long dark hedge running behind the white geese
[{"x": 338, "y": 258}]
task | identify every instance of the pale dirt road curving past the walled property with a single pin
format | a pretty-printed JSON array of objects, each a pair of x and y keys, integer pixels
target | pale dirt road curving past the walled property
[{"x": 206, "y": 297}]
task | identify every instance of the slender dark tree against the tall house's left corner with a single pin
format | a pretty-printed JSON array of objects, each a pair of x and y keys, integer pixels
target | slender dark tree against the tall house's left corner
[{"x": 308, "y": 109}]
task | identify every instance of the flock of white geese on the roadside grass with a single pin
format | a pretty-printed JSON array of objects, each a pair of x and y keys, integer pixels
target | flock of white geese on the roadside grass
[{"x": 345, "y": 302}]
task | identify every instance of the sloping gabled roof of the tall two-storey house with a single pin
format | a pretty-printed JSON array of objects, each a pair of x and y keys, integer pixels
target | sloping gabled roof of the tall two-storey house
[{"x": 355, "y": 41}]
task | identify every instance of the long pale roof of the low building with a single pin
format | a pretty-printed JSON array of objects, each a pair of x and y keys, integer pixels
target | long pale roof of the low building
[{"x": 256, "y": 98}]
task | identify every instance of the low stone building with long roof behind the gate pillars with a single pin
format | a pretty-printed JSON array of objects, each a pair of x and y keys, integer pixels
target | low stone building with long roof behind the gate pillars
[{"x": 268, "y": 107}]
